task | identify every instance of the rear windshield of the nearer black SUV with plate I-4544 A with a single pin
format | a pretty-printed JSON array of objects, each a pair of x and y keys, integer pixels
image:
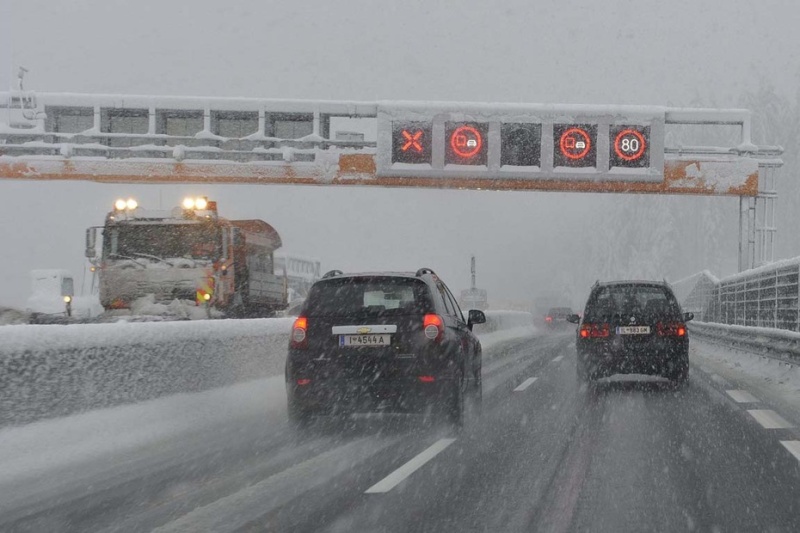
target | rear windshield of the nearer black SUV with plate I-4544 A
[{"x": 368, "y": 296}]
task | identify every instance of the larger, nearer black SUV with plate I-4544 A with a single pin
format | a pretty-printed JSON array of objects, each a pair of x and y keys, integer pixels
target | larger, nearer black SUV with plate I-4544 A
[{"x": 394, "y": 342}]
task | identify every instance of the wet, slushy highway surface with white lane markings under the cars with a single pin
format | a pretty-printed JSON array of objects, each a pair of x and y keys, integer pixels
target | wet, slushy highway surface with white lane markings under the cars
[{"x": 547, "y": 455}]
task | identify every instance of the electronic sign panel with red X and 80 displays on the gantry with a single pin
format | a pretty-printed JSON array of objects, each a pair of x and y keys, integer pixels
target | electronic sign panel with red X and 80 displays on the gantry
[{"x": 530, "y": 142}]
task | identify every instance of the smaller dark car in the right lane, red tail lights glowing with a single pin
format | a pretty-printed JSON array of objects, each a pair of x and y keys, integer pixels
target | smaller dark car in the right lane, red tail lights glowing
[{"x": 632, "y": 327}]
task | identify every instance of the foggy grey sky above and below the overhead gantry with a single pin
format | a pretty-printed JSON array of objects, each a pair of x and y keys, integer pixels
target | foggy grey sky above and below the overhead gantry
[{"x": 674, "y": 53}]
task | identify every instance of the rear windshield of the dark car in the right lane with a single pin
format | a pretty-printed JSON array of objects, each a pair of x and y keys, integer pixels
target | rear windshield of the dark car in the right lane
[{"x": 632, "y": 299}]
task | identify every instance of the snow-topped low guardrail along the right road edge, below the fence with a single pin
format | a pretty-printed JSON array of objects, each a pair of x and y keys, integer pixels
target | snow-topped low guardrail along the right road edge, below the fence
[{"x": 775, "y": 343}]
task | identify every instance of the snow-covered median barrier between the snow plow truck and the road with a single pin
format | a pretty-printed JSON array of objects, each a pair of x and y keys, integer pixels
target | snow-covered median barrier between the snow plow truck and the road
[{"x": 50, "y": 371}]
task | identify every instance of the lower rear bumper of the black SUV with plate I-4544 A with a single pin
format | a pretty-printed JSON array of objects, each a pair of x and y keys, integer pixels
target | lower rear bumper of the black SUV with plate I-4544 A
[{"x": 348, "y": 396}]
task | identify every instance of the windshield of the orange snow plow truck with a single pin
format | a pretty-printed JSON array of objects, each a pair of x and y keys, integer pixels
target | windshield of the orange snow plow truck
[{"x": 195, "y": 241}]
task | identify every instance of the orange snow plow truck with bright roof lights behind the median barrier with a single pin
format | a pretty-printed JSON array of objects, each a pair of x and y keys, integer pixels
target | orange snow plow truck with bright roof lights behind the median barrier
[{"x": 188, "y": 253}]
